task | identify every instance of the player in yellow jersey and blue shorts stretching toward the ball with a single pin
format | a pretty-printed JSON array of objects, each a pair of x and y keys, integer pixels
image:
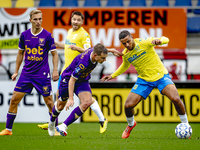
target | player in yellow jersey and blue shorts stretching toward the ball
[{"x": 151, "y": 74}]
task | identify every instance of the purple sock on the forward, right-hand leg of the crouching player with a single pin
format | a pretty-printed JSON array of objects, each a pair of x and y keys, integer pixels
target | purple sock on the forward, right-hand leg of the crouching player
[{"x": 75, "y": 114}]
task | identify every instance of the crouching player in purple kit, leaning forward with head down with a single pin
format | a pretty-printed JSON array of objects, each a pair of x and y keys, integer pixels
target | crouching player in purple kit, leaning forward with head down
[{"x": 75, "y": 79}]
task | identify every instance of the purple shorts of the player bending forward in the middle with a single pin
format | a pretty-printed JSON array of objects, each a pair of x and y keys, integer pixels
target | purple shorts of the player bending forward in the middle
[{"x": 79, "y": 87}]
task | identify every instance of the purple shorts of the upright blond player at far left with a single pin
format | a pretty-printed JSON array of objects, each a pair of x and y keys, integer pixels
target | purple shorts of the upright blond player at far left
[{"x": 26, "y": 84}]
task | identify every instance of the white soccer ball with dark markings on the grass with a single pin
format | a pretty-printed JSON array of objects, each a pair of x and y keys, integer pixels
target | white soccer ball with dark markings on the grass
[{"x": 183, "y": 131}]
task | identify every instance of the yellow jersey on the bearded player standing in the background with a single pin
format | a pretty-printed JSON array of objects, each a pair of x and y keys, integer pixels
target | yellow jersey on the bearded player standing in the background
[{"x": 80, "y": 38}]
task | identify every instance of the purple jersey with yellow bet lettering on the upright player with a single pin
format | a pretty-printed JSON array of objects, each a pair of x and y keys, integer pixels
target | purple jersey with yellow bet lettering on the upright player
[{"x": 36, "y": 49}]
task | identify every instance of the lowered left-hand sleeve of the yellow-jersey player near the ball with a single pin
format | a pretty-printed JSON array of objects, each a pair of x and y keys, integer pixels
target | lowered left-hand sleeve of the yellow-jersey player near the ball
[{"x": 122, "y": 68}]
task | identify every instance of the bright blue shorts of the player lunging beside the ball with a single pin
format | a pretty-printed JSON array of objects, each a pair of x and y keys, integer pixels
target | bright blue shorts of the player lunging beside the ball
[{"x": 144, "y": 88}]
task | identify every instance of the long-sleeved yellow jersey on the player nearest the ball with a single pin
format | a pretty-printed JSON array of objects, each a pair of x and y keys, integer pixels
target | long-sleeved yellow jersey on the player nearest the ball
[{"x": 145, "y": 60}]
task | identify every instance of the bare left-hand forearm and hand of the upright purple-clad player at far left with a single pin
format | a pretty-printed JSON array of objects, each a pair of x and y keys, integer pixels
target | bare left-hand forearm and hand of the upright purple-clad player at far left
[{"x": 19, "y": 60}]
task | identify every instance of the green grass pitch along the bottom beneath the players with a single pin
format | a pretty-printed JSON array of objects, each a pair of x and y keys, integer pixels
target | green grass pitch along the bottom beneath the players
[{"x": 86, "y": 136}]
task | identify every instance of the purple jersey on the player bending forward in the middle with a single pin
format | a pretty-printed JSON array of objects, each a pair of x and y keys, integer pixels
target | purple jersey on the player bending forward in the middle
[{"x": 81, "y": 67}]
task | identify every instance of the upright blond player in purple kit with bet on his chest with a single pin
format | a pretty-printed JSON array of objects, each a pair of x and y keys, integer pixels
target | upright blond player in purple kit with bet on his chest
[{"x": 34, "y": 46}]
